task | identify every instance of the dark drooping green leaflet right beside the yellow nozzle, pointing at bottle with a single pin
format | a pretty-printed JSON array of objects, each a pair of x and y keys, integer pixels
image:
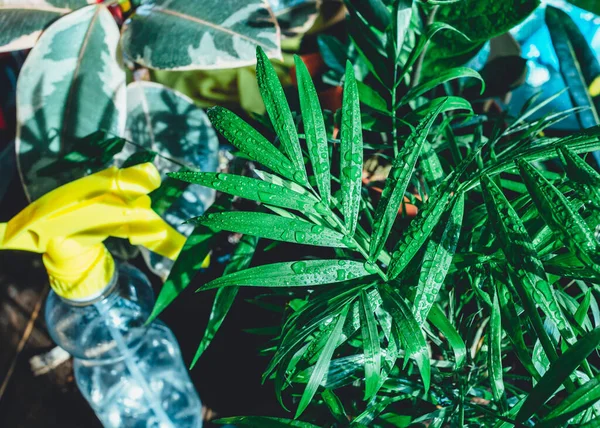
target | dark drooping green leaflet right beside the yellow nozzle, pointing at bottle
[{"x": 190, "y": 259}]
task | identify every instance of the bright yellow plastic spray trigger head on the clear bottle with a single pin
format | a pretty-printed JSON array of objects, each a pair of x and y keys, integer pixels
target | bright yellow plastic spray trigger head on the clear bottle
[{"x": 69, "y": 224}]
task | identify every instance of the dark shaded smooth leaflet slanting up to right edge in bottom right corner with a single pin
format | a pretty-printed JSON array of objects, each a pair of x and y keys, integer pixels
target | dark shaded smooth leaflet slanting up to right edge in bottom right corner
[{"x": 558, "y": 372}]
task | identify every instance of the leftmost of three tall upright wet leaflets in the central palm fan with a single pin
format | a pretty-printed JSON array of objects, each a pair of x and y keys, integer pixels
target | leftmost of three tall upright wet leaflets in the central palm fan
[{"x": 279, "y": 111}]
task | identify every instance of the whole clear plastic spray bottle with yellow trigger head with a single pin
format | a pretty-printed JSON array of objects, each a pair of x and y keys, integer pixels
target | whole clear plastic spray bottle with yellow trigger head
[{"x": 132, "y": 374}]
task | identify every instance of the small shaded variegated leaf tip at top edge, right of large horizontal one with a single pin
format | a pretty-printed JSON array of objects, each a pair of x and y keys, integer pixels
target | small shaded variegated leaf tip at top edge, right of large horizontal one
[{"x": 295, "y": 17}]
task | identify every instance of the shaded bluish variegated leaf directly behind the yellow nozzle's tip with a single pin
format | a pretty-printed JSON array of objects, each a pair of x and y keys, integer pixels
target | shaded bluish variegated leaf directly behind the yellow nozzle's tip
[{"x": 168, "y": 123}]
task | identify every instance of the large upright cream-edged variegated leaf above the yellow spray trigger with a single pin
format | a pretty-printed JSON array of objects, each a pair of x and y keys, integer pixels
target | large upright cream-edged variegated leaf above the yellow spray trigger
[{"x": 71, "y": 86}]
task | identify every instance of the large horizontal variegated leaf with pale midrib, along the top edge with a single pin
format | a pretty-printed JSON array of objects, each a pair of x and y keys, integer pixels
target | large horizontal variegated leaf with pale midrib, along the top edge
[{"x": 211, "y": 34}]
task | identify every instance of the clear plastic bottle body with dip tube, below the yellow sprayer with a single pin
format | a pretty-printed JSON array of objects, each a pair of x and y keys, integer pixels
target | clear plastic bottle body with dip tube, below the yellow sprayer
[{"x": 131, "y": 374}]
